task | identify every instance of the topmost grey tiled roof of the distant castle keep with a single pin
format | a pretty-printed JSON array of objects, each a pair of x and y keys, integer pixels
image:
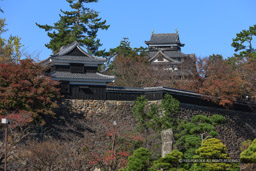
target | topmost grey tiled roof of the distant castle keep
[{"x": 172, "y": 38}]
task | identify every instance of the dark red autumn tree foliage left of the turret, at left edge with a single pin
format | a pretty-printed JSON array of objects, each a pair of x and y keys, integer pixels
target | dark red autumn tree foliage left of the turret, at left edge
[{"x": 24, "y": 87}]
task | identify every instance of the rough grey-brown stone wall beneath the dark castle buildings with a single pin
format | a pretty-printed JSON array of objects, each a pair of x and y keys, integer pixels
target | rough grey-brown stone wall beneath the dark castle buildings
[{"x": 239, "y": 126}]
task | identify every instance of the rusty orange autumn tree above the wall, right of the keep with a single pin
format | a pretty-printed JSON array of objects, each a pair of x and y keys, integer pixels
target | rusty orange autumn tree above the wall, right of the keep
[{"x": 224, "y": 83}]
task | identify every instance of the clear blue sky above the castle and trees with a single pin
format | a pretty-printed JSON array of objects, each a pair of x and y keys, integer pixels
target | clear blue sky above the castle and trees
[{"x": 205, "y": 26}]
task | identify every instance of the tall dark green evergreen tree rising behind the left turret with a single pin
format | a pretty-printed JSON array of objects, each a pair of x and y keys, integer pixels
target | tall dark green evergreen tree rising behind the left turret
[{"x": 80, "y": 24}]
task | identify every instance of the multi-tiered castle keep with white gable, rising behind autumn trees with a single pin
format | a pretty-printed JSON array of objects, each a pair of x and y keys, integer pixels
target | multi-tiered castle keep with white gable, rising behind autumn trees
[{"x": 165, "y": 53}]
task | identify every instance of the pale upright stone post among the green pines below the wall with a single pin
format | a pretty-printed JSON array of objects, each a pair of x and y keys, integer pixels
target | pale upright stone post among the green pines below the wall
[{"x": 167, "y": 141}]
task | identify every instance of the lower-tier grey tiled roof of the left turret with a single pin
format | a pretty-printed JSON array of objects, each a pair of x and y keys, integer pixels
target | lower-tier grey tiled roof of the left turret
[{"x": 87, "y": 76}]
